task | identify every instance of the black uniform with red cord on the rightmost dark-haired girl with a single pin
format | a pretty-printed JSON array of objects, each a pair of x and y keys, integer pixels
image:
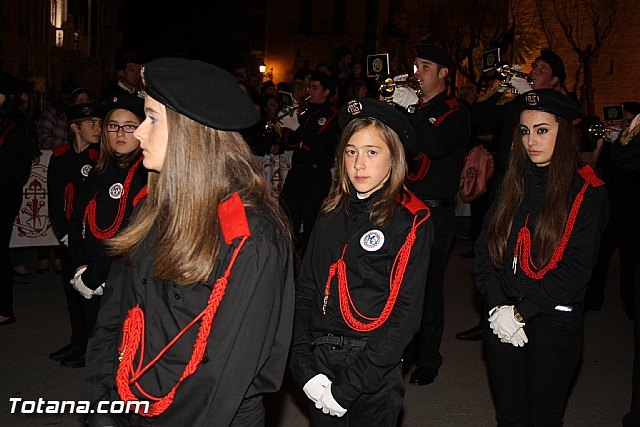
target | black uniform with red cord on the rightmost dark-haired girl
[{"x": 531, "y": 383}]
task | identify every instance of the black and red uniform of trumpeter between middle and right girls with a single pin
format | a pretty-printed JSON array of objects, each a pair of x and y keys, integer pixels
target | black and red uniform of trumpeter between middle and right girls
[{"x": 443, "y": 128}]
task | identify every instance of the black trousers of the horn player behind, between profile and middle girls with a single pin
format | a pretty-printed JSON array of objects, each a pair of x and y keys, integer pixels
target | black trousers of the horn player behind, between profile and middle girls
[{"x": 303, "y": 193}]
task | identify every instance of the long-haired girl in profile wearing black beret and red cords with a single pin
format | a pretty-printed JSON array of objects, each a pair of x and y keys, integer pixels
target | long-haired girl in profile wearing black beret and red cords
[{"x": 197, "y": 319}]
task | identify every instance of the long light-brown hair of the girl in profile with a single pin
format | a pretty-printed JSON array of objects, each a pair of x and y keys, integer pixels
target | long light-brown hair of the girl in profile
[{"x": 202, "y": 167}]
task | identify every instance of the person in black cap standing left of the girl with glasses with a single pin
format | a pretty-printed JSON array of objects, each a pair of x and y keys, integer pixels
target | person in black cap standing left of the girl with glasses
[{"x": 67, "y": 175}]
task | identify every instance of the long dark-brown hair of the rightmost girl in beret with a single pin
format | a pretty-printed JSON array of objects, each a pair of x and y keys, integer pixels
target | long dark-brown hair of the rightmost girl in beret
[{"x": 560, "y": 182}]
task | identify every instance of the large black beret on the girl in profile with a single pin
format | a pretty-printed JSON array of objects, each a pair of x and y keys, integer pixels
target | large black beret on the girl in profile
[{"x": 201, "y": 91}]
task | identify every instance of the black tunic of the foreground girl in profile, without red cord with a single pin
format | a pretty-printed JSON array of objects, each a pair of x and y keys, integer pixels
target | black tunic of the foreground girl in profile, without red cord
[{"x": 246, "y": 351}]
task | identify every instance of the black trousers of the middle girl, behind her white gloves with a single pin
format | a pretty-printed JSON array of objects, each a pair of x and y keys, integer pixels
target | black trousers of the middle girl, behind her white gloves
[{"x": 381, "y": 408}]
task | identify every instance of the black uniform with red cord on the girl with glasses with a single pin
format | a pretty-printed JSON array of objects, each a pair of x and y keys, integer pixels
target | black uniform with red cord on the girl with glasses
[{"x": 108, "y": 203}]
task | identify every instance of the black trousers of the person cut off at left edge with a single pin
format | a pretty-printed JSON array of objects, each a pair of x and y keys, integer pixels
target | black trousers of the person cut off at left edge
[{"x": 10, "y": 207}]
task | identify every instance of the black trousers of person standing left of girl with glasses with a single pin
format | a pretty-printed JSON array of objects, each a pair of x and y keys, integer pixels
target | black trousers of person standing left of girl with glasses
[{"x": 75, "y": 301}]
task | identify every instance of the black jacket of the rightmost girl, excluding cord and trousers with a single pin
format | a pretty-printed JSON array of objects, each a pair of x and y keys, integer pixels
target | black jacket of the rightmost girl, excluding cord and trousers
[{"x": 564, "y": 285}]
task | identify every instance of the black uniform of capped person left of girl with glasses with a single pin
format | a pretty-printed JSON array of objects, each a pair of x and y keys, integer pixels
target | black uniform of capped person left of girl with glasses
[{"x": 66, "y": 180}]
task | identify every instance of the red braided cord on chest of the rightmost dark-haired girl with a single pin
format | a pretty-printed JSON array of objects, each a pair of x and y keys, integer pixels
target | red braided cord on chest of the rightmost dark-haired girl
[{"x": 522, "y": 251}]
